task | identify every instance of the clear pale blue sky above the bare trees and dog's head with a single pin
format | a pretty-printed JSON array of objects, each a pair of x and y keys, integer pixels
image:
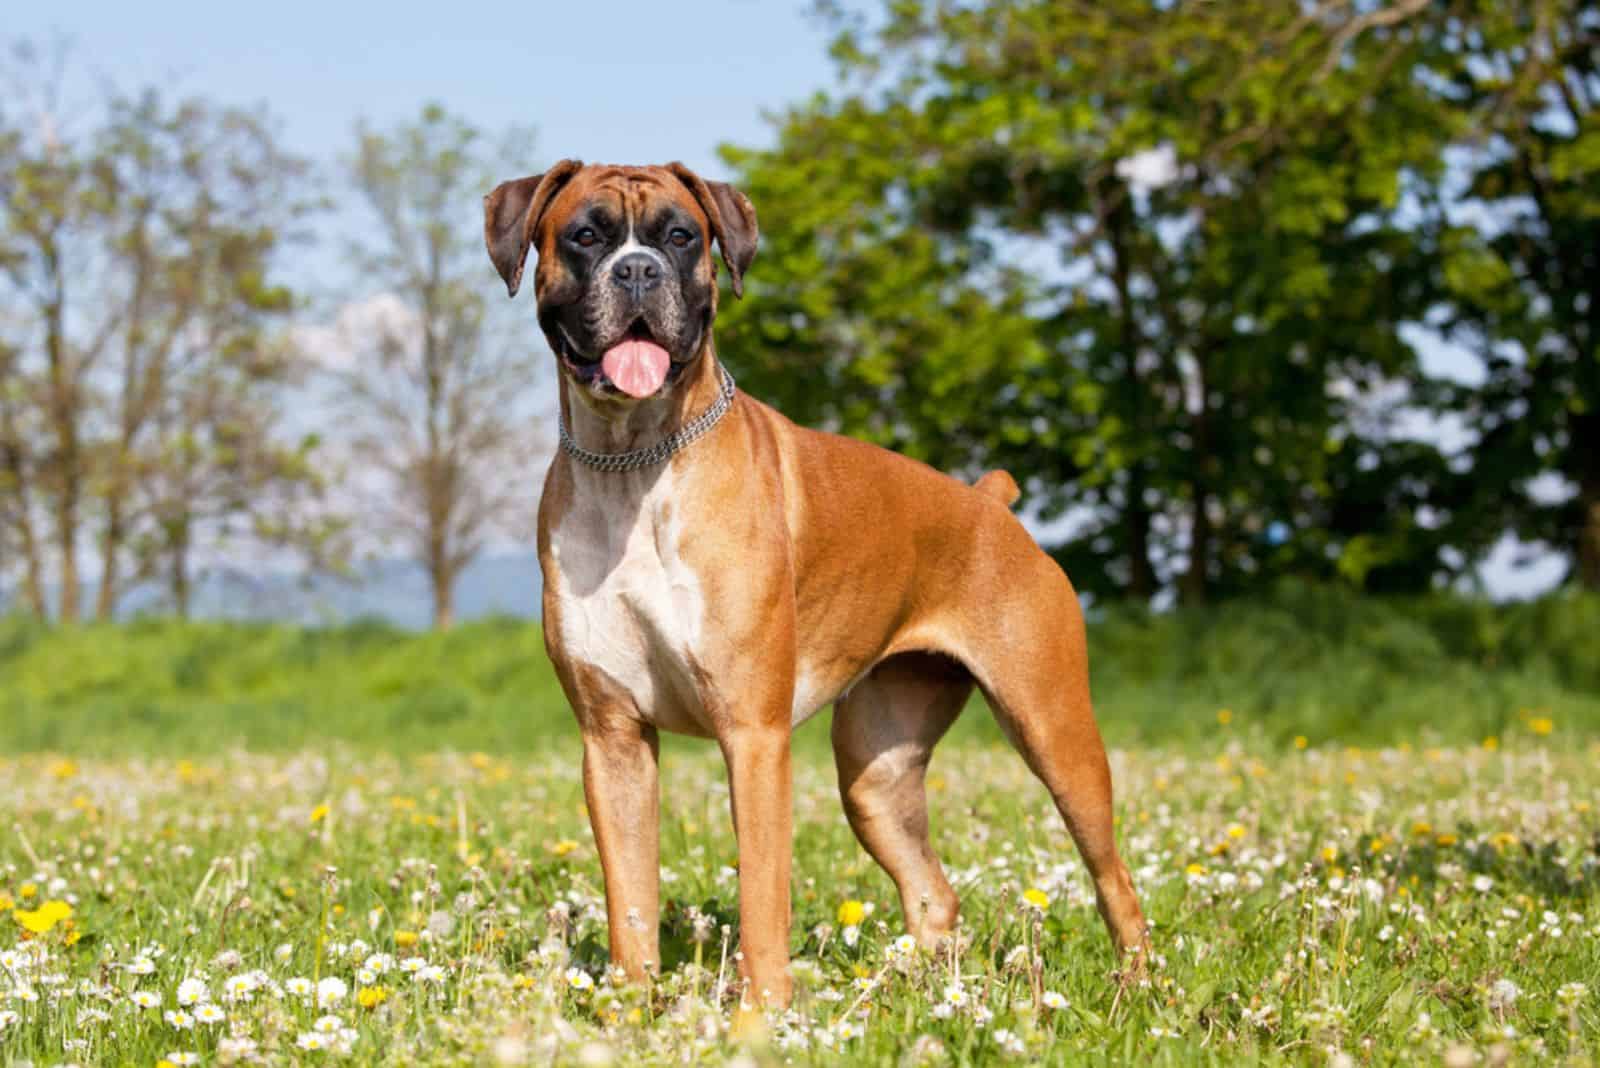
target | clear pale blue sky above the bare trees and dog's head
[{"x": 615, "y": 82}]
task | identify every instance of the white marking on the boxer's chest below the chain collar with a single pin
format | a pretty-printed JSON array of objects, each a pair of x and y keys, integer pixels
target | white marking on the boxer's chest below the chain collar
[{"x": 630, "y": 605}]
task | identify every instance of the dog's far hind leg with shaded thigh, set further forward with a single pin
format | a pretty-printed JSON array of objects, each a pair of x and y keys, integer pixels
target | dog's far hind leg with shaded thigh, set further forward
[{"x": 884, "y": 735}]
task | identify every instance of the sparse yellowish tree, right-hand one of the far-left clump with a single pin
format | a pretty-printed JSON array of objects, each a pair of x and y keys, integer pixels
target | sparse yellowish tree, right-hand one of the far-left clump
[{"x": 201, "y": 205}]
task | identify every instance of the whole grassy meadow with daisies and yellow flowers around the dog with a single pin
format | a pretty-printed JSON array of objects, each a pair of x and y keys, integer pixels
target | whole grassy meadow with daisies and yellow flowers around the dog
[{"x": 1366, "y": 832}]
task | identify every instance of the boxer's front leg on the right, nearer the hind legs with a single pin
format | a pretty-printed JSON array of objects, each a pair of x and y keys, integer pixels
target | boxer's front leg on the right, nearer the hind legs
[{"x": 761, "y": 789}]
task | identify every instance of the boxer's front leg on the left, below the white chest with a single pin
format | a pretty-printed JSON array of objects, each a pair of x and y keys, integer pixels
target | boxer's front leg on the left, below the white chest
[{"x": 625, "y": 810}]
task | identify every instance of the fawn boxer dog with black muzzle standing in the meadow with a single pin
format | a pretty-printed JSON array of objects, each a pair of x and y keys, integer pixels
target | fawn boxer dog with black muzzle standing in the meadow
[{"x": 711, "y": 568}]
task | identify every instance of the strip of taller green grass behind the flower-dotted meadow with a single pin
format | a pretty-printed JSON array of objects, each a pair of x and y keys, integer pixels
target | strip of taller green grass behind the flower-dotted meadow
[{"x": 1306, "y": 661}]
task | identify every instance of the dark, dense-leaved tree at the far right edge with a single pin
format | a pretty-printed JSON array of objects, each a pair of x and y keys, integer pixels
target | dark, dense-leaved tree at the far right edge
[{"x": 1518, "y": 241}]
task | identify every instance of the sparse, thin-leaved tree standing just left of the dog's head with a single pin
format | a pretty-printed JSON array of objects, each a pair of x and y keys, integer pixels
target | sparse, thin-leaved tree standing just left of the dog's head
[{"x": 439, "y": 396}]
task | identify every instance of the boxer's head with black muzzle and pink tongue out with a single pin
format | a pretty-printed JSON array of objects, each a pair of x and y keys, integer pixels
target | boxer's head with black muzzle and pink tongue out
[{"x": 626, "y": 284}]
